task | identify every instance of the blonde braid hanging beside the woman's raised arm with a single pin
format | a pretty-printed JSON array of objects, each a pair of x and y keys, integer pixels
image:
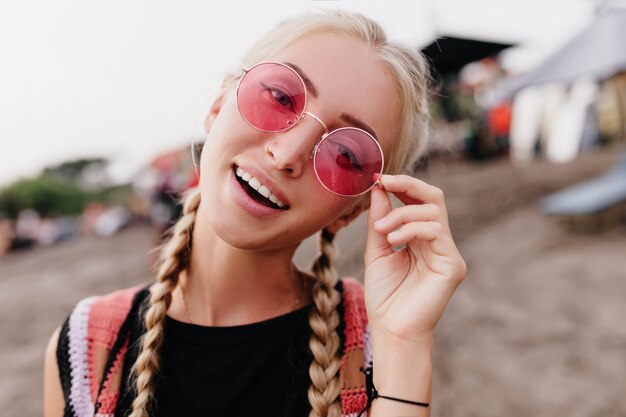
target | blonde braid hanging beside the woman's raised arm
[{"x": 324, "y": 343}]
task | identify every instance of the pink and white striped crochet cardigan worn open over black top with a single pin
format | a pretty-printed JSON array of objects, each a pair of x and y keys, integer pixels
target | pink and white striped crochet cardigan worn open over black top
[{"x": 94, "y": 324}]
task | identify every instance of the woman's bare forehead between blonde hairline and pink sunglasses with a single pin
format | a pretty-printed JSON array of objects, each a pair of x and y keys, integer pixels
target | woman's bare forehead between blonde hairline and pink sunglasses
[{"x": 349, "y": 78}]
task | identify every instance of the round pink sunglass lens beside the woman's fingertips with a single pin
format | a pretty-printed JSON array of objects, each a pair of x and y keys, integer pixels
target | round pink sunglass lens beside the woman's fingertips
[{"x": 346, "y": 160}]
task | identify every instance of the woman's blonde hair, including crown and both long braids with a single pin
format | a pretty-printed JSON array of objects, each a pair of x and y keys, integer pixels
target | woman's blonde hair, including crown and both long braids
[{"x": 410, "y": 73}]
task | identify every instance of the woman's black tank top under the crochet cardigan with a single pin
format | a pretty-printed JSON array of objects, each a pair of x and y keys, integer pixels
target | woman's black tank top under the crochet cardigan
[{"x": 254, "y": 369}]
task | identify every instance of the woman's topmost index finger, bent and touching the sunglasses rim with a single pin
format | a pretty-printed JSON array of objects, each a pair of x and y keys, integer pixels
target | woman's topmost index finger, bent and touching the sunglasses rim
[{"x": 411, "y": 190}]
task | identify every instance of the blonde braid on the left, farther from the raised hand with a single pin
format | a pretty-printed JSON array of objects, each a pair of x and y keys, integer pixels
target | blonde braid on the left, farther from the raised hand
[{"x": 173, "y": 260}]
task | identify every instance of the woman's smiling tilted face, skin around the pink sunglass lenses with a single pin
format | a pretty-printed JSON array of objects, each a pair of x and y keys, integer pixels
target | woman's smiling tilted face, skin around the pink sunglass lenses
[{"x": 352, "y": 89}]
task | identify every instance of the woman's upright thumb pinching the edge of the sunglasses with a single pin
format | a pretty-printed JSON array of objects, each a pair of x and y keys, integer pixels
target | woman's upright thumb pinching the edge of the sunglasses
[{"x": 377, "y": 244}]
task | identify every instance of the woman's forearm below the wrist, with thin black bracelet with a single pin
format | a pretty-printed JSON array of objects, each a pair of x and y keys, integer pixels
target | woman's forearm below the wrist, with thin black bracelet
[{"x": 401, "y": 370}]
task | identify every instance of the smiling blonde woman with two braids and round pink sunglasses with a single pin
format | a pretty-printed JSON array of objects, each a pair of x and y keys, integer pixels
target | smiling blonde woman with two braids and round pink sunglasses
[{"x": 295, "y": 146}]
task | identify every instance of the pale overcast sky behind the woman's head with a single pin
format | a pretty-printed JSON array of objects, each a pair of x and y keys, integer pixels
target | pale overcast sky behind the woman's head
[{"x": 129, "y": 79}]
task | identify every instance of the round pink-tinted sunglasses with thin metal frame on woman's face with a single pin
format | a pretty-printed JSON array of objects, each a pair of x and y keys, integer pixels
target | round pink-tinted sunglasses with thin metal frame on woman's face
[{"x": 272, "y": 97}]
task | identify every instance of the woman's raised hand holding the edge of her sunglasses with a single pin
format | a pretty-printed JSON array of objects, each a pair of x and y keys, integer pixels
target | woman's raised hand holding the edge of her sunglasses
[{"x": 407, "y": 290}]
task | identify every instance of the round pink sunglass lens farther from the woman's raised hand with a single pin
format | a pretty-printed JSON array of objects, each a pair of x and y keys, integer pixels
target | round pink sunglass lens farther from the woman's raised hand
[{"x": 271, "y": 97}]
